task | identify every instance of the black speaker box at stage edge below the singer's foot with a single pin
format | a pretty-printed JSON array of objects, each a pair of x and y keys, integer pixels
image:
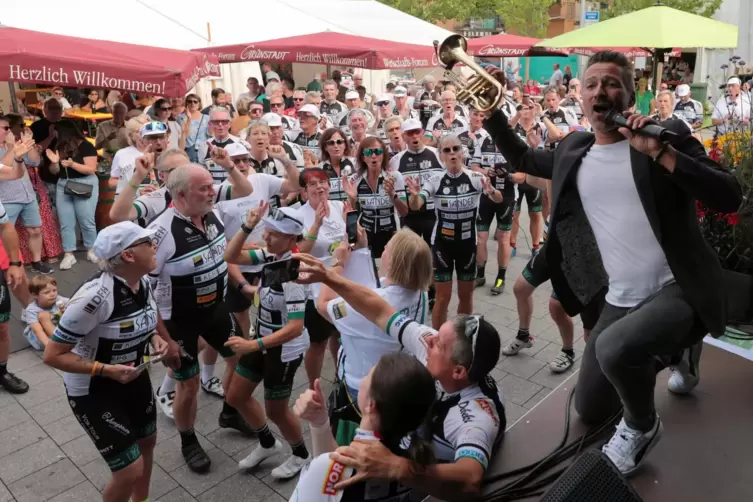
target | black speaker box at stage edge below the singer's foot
[{"x": 592, "y": 478}]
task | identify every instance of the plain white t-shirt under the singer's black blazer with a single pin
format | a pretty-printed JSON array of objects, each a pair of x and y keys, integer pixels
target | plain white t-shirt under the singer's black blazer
[{"x": 633, "y": 259}]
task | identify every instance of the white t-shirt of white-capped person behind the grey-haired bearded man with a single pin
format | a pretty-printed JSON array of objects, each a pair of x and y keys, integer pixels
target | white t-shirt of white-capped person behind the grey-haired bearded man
[{"x": 233, "y": 212}]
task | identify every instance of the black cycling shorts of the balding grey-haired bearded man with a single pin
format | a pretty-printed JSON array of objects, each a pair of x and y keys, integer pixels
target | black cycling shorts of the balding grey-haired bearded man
[{"x": 215, "y": 328}]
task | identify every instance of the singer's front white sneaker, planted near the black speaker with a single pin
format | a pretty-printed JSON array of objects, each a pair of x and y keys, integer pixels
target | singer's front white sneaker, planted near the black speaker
[{"x": 628, "y": 448}]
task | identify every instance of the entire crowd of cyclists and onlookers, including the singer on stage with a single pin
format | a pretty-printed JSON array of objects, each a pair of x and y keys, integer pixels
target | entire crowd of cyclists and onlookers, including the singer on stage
[{"x": 295, "y": 222}]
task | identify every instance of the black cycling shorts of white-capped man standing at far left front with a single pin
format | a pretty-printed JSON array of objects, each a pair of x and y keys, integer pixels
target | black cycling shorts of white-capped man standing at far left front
[{"x": 117, "y": 416}]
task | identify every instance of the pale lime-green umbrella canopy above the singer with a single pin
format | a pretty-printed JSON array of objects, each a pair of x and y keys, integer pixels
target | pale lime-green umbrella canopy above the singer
[{"x": 655, "y": 27}]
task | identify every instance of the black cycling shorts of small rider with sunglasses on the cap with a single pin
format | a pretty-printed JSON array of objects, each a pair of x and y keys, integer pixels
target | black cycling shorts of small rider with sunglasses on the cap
[{"x": 277, "y": 375}]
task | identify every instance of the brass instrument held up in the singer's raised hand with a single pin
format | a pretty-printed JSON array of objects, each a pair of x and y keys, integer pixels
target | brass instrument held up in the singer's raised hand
[{"x": 482, "y": 91}]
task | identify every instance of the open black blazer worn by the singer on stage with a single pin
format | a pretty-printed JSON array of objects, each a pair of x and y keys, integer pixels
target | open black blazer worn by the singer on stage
[{"x": 577, "y": 272}]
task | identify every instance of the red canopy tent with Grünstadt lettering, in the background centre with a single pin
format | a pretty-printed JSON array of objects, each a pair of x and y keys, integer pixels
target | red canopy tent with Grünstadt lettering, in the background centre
[{"x": 330, "y": 48}]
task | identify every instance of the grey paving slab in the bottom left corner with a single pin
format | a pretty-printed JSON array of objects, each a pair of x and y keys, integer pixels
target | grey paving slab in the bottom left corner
[{"x": 48, "y": 482}]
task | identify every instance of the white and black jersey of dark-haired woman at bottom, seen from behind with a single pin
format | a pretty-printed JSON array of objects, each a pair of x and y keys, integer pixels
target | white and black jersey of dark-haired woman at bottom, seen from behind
[{"x": 319, "y": 477}]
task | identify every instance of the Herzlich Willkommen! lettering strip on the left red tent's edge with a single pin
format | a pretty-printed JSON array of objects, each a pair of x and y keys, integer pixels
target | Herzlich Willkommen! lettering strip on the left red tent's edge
[{"x": 95, "y": 79}]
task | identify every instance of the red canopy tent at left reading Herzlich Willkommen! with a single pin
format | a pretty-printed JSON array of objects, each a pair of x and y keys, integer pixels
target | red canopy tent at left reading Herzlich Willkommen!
[{"x": 43, "y": 58}]
